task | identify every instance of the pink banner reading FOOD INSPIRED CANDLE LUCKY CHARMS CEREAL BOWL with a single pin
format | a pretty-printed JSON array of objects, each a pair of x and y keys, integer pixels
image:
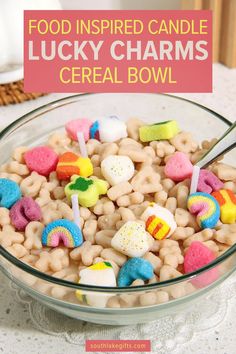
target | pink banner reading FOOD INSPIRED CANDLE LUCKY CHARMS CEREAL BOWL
[{"x": 118, "y": 51}]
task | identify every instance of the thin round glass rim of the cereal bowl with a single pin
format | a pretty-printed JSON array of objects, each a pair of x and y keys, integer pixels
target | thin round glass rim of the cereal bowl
[{"x": 92, "y": 288}]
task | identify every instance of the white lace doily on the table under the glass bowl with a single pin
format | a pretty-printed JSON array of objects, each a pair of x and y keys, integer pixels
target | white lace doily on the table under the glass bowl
[{"x": 166, "y": 334}]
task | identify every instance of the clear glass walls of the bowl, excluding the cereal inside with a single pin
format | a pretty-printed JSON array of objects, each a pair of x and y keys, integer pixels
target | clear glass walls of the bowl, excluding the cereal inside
[{"x": 34, "y": 128}]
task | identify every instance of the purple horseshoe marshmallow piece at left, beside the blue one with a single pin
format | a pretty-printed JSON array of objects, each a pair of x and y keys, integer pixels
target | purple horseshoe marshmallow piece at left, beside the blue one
[{"x": 23, "y": 212}]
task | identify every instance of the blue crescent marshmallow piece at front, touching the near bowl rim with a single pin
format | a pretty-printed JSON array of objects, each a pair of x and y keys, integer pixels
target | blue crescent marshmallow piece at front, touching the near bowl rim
[{"x": 135, "y": 268}]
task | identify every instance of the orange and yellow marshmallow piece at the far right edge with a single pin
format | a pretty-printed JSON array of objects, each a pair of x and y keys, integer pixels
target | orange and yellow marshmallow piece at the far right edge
[{"x": 227, "y": 200}]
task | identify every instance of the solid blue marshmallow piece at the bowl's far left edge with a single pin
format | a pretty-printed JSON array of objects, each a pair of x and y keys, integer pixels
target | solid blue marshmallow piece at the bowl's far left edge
[{"x": 9, "y": 193}]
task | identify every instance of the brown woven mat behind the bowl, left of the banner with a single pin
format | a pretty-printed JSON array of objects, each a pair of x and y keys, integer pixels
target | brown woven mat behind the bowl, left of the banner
[{"x": 14, "y": 93}]
